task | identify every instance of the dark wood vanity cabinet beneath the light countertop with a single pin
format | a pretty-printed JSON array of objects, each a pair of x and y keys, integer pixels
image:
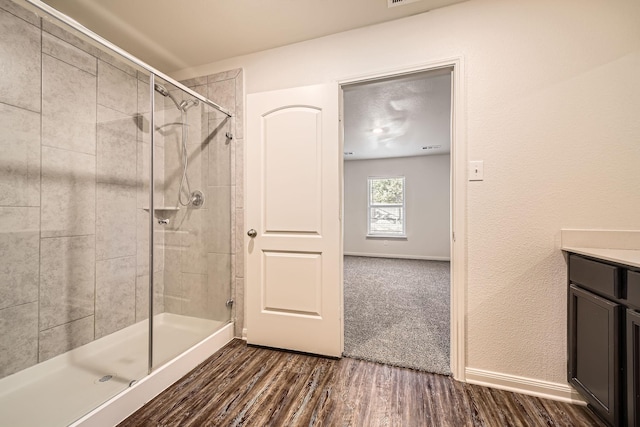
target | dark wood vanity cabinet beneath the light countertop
[{"x": 604, "y": 338}]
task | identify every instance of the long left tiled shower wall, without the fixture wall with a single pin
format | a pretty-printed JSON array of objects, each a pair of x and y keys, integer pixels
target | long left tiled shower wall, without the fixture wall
[{"x": 74, "y": 232}]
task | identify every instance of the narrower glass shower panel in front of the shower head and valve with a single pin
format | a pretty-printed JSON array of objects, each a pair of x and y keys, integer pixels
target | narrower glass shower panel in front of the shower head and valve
[{"x": 193, "y": 221}]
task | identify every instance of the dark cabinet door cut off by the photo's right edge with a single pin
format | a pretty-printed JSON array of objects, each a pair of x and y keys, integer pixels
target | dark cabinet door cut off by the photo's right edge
[{"x": 633, "y": 368}]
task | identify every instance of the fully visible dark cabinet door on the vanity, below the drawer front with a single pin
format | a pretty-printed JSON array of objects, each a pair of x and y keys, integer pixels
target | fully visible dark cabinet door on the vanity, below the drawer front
[{"x": 594, "y": 357}]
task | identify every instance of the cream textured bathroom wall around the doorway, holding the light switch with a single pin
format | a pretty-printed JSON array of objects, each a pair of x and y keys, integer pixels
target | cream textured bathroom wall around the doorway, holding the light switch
[{"x": 552, "y": 101}]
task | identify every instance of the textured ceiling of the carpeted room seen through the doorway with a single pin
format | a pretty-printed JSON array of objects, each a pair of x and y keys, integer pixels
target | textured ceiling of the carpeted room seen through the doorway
[{"x": 398, "y": 117}]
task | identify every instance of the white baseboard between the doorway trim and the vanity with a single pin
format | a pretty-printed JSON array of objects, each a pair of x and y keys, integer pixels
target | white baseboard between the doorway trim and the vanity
[{"x": 529, "y": 386}]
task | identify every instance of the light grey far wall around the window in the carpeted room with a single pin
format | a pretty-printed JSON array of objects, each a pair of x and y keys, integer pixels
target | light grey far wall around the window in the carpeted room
[{"x": 426, "y": 204}]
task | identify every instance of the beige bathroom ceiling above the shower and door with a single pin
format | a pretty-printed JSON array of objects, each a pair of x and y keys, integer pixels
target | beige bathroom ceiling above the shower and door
[{"x": 173, "y": 35}]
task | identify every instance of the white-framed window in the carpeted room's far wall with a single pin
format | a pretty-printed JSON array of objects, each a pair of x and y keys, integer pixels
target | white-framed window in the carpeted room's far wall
[{"x": 386, "y": 206}]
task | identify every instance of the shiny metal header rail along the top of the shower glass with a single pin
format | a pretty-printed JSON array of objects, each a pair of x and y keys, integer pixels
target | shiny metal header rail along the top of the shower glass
[{"x": 39, "y": 5}]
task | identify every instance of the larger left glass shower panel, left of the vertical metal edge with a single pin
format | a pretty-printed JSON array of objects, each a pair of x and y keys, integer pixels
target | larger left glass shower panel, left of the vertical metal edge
[{"x": 72, "y": 304}]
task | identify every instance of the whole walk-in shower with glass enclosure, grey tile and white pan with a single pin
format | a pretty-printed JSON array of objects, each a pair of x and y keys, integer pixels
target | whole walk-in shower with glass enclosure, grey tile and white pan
[{"x": 113, "y": 269}]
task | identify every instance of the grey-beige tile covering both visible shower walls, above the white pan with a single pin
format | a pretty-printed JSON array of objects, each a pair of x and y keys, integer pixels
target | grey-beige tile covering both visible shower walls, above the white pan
[{"x": 74, "y": 218}]
